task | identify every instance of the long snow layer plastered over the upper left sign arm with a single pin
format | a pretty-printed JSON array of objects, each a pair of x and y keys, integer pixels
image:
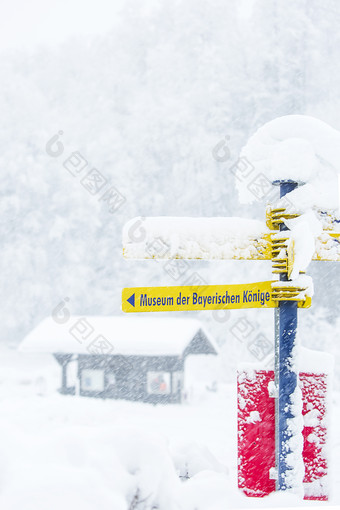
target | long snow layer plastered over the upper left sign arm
[{"x": 192, "y": 238}]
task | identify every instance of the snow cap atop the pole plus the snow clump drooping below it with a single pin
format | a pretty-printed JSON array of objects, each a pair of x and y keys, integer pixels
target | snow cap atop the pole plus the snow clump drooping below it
[{"x": 304, "y": 150}]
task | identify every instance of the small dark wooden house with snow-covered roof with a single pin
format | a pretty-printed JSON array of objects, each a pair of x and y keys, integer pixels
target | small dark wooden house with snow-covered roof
[{"x": 129, "y": 358}]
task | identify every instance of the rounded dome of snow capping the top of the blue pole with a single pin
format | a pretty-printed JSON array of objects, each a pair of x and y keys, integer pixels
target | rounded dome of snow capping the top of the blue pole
[{"x": 298, "y": 148}]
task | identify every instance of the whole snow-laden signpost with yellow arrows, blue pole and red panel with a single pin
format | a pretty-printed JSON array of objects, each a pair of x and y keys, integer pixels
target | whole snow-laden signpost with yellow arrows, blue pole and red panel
[{"x": 276, "y": 450}]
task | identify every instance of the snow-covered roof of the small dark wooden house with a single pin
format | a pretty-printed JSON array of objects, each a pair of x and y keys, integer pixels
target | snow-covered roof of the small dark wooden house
[{"x": 141, "y": 336}]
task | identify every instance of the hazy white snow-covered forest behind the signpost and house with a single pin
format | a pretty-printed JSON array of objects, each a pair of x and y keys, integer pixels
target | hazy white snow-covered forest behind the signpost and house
[{"x": 145, "y": 105}]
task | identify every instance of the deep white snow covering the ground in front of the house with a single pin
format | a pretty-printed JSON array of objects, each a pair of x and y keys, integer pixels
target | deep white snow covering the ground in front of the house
[{"x": 65, "y": 452}]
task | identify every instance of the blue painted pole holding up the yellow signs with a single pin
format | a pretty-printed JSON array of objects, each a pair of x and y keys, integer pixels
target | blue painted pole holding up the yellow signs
[{"x": 285, "y": 377}]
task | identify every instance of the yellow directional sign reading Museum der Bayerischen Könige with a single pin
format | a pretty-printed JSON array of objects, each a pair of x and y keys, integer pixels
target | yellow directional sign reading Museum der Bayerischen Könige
[{"x": 202, "y": 297}]
